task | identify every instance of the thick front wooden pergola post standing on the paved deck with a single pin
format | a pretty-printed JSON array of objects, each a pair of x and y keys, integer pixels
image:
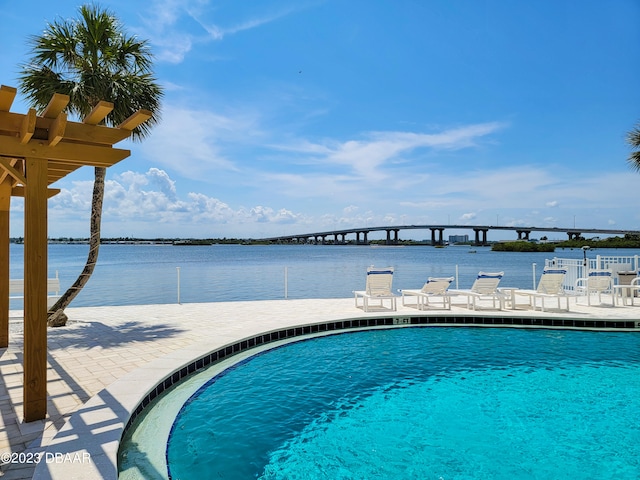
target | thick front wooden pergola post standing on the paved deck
[{"x": 35, "y": 290}]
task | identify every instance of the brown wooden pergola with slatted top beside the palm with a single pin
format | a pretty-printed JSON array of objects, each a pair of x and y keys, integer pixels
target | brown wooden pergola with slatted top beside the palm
[{"x": 36, "y": 151}]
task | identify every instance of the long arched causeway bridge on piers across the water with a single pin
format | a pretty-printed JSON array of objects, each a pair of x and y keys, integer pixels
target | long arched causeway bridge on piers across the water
[{"x": 339, "y": 237}]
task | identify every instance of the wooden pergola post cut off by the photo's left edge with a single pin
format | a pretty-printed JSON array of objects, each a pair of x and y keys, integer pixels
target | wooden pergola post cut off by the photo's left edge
[{"x": 5, "y": 205}]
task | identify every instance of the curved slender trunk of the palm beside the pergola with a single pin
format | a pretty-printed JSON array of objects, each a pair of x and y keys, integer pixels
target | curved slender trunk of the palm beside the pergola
[{"x": 56, "y": 312}]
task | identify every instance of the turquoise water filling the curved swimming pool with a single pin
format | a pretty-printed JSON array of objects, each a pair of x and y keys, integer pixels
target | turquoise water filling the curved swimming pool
[{"x": 441, "y": 403}]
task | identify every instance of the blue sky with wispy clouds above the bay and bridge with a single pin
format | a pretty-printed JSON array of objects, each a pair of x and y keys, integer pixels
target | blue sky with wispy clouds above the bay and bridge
[{"x": 284, "y": 117}]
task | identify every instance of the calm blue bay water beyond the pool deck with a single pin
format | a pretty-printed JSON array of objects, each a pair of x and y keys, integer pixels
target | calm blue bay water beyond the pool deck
[{"x": 139, "y": 274}]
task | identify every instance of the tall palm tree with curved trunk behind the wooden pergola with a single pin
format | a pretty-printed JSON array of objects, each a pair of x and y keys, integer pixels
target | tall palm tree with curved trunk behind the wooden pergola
[{"x": 91, "y": 59}]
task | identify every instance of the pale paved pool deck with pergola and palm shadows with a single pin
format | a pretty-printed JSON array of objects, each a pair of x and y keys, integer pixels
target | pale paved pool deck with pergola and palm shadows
[{"x": 107, "y": 358}]
